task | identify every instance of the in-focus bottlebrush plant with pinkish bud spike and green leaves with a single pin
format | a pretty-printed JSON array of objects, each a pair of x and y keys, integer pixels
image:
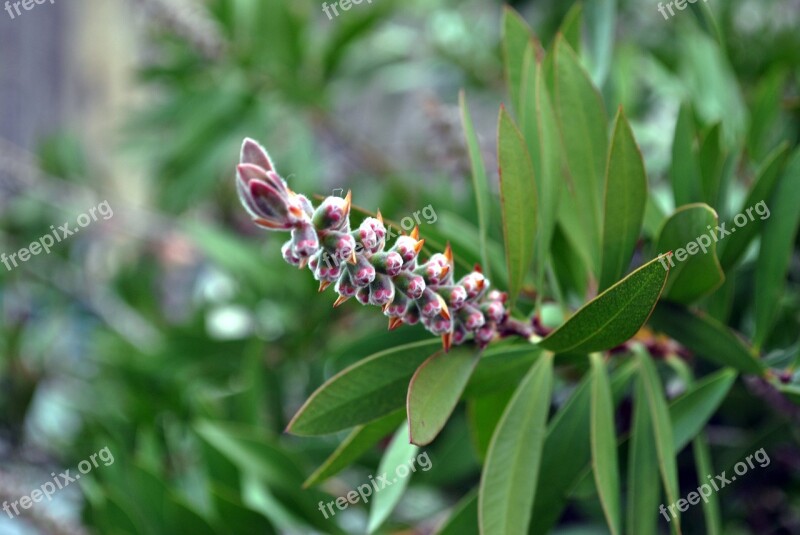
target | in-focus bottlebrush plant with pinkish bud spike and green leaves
[{"x": 613, "y": 284}]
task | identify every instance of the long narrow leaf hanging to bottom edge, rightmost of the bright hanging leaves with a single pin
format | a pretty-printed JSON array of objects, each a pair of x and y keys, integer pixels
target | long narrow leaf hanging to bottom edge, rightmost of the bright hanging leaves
[{"x": 662, "y": 428}]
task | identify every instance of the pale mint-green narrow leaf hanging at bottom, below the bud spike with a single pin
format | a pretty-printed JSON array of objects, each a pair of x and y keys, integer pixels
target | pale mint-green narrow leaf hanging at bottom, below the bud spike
[{"x": 397, "y": 455}]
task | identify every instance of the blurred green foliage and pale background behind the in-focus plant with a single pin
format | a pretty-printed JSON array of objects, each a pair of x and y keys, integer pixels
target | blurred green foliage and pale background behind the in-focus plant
[{"x": 174, "y": 334}]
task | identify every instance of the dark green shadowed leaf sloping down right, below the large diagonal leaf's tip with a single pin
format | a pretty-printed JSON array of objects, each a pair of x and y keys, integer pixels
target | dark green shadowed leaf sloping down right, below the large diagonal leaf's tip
[{"x": 705, "y": 337}]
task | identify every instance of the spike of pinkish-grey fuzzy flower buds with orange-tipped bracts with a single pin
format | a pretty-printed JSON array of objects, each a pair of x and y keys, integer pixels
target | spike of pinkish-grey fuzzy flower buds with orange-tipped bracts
[{"x": 359, "y": 264}]
